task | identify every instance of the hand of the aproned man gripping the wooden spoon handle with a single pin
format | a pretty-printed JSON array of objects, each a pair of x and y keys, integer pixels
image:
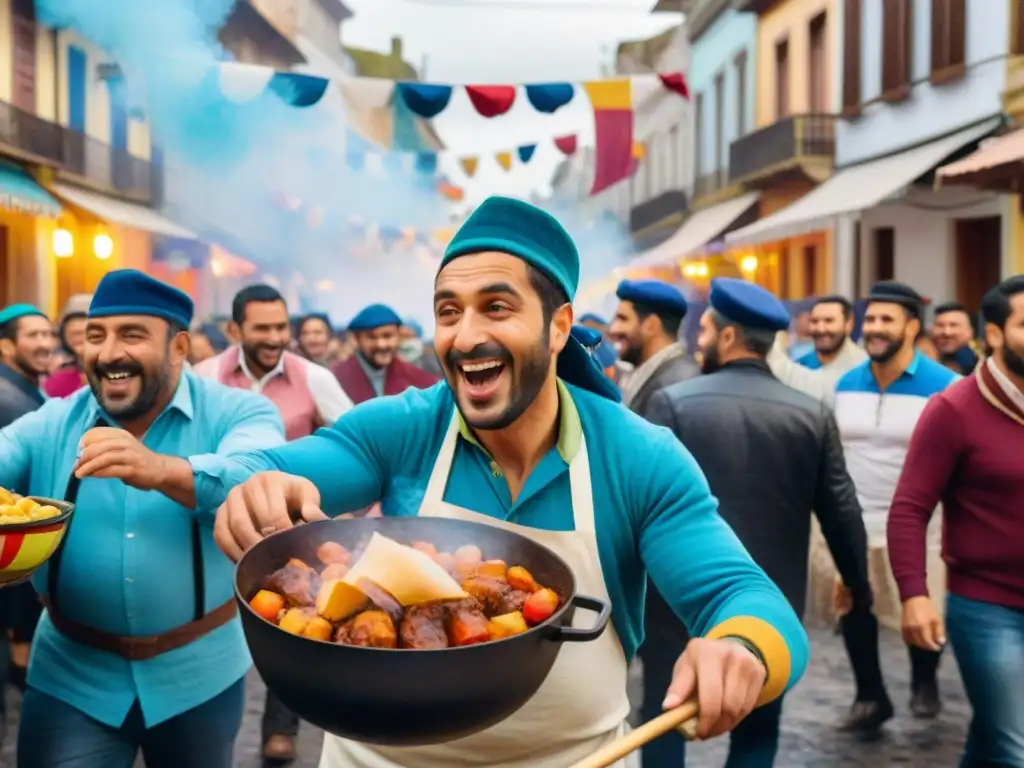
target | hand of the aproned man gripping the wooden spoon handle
[{"x": 728, "y": 679}]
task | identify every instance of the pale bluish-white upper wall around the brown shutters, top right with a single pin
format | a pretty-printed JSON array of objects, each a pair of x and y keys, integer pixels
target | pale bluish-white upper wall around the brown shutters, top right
[{"x": 931, "y": 111}]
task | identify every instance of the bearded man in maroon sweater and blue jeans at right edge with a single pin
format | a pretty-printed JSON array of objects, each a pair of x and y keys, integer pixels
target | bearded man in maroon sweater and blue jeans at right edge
[{"x": 966, "y": 452}]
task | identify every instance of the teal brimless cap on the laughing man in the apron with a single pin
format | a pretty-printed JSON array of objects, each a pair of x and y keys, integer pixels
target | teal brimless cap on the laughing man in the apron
[{"x": 519, "y": 229}]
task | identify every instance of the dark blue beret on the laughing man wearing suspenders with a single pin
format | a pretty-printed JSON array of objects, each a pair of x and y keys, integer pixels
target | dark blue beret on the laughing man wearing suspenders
[{"x": 133, "y": 292}]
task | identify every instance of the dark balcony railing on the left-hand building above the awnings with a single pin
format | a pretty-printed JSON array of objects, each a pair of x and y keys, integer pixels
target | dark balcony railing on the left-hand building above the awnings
[{"x": 98, "y": 164}]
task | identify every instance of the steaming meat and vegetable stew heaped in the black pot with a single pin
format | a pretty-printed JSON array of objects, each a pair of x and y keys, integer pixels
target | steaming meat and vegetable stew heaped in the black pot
[{"x": 396, "y": 596}]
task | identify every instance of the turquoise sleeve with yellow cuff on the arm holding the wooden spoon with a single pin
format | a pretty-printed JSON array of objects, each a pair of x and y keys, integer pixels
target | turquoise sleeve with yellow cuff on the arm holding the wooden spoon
[{"x": 706, "y": 575}]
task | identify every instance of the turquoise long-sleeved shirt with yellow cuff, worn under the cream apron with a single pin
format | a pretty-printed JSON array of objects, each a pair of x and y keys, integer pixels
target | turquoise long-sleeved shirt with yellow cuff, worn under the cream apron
[{"x": 654, "y": 509}]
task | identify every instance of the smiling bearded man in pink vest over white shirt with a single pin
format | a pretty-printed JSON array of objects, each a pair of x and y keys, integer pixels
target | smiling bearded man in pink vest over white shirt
[{"x": 307, "y": 395}]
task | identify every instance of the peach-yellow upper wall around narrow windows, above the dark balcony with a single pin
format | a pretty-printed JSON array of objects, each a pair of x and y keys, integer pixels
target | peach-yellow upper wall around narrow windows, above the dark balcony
[{"x": 791, "y": 21}]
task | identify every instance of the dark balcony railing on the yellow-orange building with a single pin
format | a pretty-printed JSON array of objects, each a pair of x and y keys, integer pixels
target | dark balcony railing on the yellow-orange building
[{"x": 783, "y": 147}]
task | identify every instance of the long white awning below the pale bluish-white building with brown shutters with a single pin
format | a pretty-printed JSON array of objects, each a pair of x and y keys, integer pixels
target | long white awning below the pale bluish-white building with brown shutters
[{"x": 858, "y": 188}]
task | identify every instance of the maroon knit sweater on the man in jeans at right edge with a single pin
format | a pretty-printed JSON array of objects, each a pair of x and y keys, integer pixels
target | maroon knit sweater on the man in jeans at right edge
[{"x": 970, "y": 456}]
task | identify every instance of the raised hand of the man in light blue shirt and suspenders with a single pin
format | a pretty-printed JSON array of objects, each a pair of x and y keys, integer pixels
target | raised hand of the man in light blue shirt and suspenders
[{"x": 117, "y": 454}]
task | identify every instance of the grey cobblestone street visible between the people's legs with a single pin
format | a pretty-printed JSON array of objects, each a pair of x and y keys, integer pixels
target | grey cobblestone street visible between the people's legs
[{"x": 808, "y": 738}]
